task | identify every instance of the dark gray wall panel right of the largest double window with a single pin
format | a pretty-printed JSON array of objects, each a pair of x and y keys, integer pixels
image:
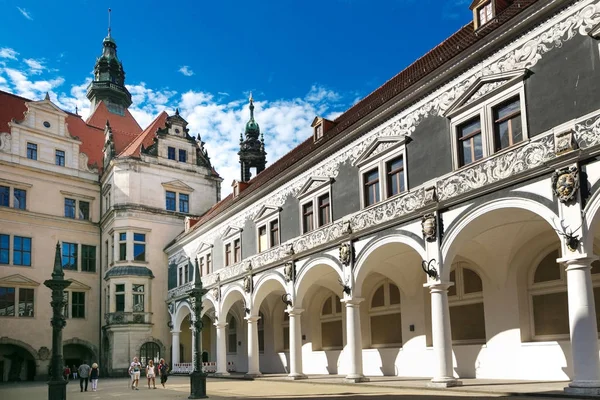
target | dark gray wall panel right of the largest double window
[{"x": 567, "y": 77}]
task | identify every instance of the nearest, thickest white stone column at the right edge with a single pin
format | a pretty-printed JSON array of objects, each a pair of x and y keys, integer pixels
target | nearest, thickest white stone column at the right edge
[{"x": 583, "y": 328}]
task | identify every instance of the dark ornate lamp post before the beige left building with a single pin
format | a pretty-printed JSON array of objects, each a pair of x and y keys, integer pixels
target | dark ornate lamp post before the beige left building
[{"x": 57, "y": 386}]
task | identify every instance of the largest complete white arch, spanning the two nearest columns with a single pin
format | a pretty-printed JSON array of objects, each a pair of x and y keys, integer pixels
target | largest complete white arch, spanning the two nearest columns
[{"x": 451, "y": 242}]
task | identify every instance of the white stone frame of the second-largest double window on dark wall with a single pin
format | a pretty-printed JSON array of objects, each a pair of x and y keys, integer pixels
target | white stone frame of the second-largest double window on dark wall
[{"x": 380, "y": 162}]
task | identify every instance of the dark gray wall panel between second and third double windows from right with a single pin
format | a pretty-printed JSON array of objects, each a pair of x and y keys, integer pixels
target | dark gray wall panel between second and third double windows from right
[{"x": 345, "y": 191}]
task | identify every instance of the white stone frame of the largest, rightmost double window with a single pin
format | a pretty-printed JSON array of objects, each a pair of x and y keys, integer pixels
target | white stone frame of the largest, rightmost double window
[{"x": 484, "y": 108}]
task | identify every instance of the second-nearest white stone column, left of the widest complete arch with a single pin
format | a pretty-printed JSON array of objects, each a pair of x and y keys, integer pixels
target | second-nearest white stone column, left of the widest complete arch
[{"x": 442, "y": 335}]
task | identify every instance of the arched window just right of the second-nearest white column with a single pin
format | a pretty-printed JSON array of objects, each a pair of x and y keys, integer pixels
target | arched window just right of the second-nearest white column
[{"x": 465, "y": 298}]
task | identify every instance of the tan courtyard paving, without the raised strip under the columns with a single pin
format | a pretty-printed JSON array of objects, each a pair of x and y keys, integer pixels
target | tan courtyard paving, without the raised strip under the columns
[{"x": 178, "y": 388}]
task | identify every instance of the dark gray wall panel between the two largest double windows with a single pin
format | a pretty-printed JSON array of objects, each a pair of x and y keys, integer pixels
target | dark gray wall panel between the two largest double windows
[{"x": 429, "y": 155}]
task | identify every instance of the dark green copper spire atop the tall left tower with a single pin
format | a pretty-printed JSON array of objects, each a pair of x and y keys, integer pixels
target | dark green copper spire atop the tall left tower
[{"x": 109, "y": 78}]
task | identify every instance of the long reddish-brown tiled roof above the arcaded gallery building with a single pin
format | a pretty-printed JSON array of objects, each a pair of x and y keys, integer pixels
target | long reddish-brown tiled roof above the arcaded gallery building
[{"x": 455, "y": 45}]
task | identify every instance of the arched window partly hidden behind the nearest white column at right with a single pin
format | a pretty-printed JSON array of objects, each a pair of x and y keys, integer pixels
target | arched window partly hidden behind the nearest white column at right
[{"x": 548, "y": 297}]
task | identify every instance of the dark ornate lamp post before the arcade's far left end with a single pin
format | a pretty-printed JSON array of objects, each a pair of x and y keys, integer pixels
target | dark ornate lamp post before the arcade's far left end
[{"x": 197, "y": 377}]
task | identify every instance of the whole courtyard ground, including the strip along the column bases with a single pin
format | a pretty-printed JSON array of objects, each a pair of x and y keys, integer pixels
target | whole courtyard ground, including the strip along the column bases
[{"x": 278, "y": 388}]
